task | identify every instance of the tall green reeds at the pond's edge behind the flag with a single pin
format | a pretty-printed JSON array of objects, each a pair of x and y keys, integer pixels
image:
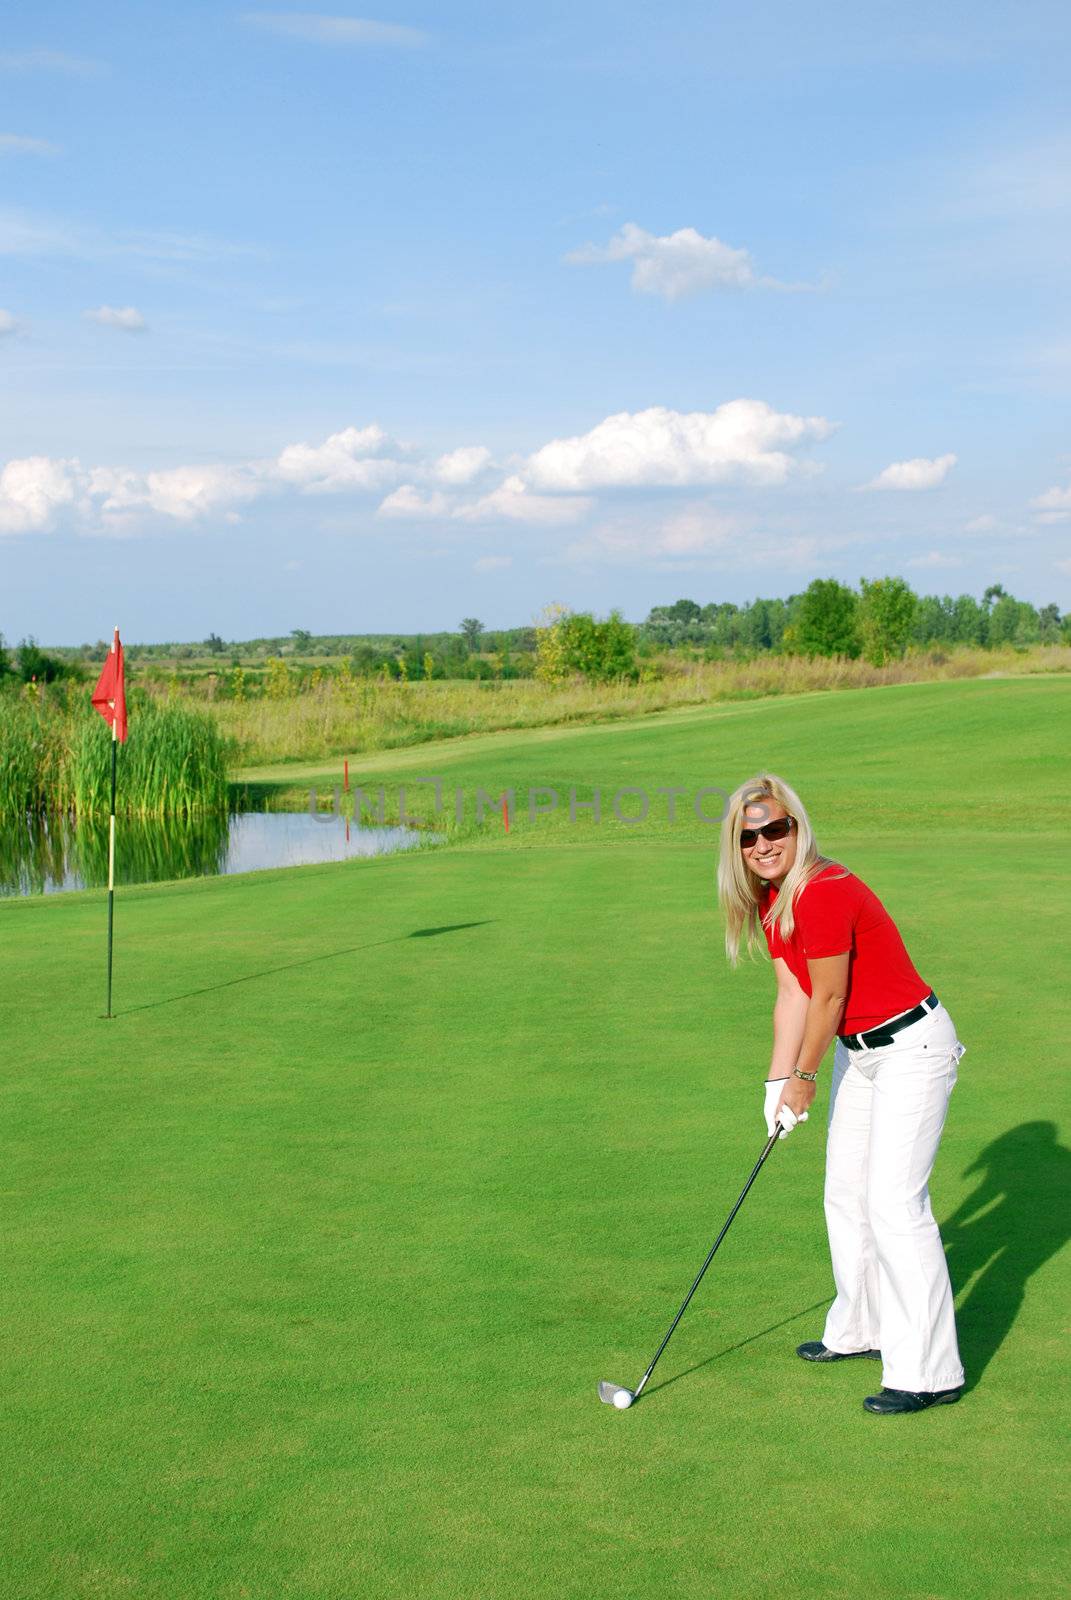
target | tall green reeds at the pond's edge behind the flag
[{"x": 57, "y": 759}]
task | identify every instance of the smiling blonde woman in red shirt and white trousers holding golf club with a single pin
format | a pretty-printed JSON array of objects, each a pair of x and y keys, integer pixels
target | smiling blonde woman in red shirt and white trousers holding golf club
[{"x": 843, "y": 970}]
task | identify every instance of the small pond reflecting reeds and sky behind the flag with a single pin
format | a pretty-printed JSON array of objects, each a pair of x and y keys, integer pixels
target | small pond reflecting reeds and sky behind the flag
[{"x": 54, "y": 855}]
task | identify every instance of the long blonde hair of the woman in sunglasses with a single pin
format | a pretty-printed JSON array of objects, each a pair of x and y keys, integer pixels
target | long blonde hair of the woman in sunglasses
[{"x": 740, "y": 889}]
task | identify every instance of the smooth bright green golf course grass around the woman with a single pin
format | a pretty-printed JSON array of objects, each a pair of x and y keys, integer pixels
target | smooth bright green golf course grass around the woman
[{"x": 315, "y": 1255}]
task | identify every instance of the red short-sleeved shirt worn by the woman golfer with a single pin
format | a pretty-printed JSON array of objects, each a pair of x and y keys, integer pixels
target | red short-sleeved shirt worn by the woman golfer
[{"x": 836, "y": 913}]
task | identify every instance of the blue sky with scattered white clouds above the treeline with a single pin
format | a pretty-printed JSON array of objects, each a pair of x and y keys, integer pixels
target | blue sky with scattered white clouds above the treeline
[{"x": 375, "y": 321}]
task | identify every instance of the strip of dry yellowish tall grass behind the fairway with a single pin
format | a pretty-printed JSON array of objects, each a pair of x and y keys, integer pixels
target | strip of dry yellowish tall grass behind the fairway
[{"x": 372, "y": 716}]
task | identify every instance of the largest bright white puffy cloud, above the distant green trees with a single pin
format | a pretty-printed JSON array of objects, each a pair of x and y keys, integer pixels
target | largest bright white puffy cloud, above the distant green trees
[{"x": 740, "y": 442}]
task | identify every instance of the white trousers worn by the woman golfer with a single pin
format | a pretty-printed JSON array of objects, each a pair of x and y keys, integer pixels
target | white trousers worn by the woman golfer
[{"x": 886, "y": 1118}]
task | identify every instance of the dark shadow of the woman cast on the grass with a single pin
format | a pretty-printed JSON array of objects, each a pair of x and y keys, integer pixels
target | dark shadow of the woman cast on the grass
[{"x": 1016, "y": 1220}]
